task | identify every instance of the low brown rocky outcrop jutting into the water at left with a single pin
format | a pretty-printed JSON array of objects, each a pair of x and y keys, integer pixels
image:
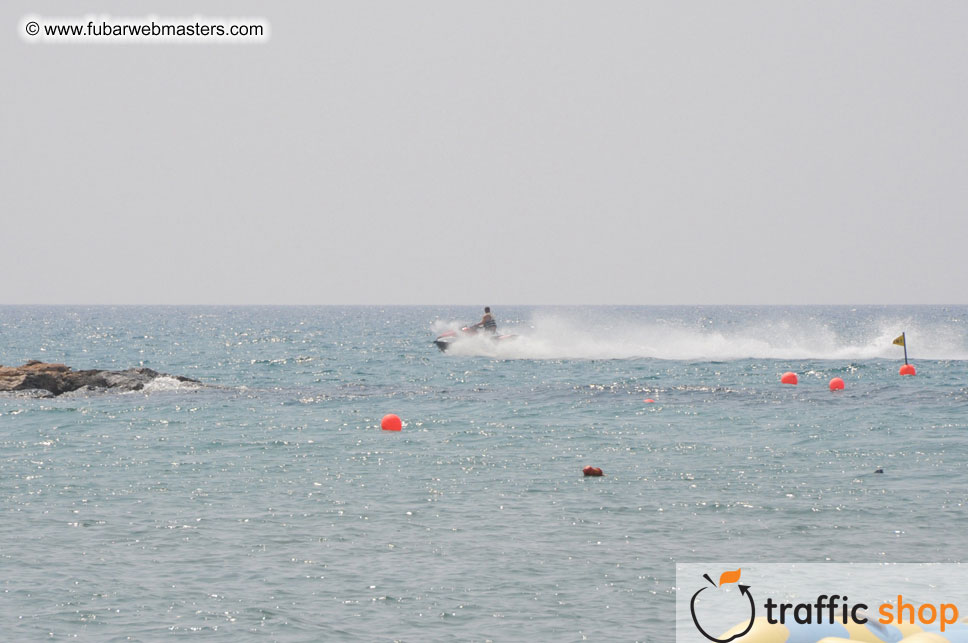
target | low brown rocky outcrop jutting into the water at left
[{"x": 58, "y": 378}]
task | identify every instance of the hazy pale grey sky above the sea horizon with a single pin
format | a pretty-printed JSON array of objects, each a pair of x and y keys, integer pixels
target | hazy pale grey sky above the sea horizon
[{"x": 387, "y": 152}]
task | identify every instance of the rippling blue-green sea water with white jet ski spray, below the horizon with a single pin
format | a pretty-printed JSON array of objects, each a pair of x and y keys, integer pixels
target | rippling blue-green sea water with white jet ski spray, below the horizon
[{"x": 267, "y": 503}]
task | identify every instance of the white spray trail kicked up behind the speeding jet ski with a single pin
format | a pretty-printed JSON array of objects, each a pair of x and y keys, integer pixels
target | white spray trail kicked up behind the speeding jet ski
[{"x": 560, "y": 337}]
